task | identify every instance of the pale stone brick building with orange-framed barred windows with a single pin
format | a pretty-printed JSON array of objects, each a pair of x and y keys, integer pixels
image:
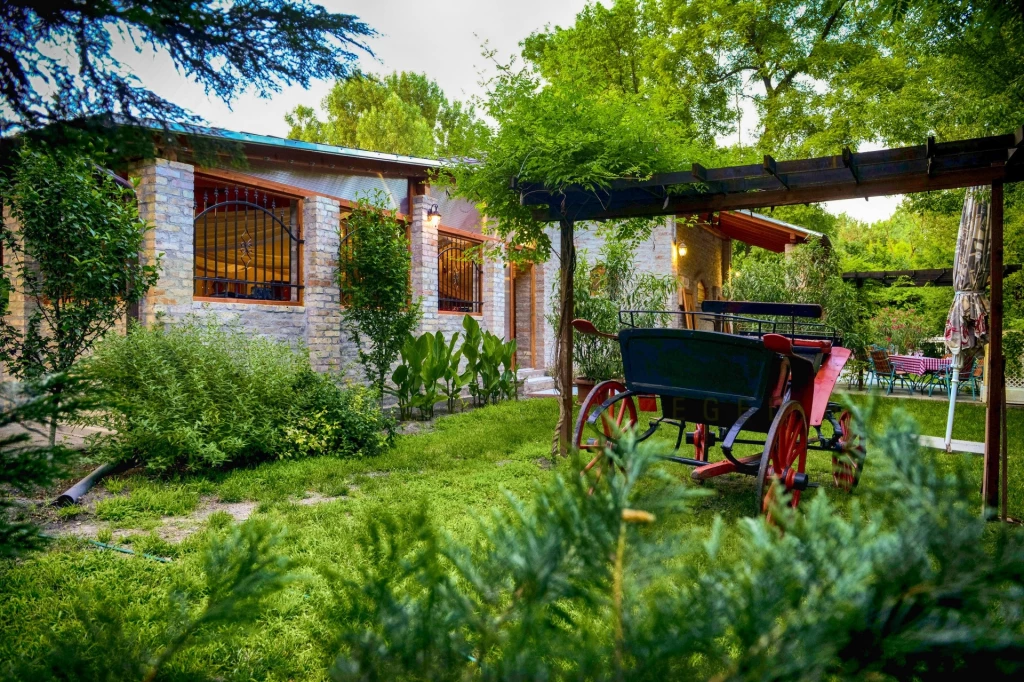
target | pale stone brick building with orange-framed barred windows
[{"x": 259, "y": 247}]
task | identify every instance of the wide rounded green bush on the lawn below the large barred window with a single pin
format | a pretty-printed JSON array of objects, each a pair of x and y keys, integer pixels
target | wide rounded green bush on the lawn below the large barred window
[{"x": 195, "y": 398}]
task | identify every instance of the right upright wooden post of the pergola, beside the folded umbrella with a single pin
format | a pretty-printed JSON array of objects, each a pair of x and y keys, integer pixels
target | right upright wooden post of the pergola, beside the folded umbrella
[{"x": 997, "y": 395}]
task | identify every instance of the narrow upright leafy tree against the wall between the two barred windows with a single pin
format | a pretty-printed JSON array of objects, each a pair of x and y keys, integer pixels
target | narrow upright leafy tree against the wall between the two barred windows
[{"x": 374, "y": 267}]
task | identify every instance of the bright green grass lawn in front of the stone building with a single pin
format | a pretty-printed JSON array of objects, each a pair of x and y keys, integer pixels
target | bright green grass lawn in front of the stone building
[{"x": 460, "y": 468}]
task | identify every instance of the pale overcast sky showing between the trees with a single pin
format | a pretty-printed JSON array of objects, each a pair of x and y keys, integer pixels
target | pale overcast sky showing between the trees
[{"x": 441, "y": 38}]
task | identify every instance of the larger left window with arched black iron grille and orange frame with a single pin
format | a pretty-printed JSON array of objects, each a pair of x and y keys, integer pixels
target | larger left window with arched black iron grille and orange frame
[{"x": 246, "y": 245}]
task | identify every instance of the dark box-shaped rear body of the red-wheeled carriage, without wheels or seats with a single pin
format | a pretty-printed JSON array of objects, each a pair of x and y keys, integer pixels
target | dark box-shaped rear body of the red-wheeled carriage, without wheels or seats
[{"x": 704, "y": 377}]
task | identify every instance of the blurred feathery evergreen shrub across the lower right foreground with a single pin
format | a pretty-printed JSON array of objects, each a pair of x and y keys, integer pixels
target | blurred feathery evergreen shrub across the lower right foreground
[{"x": 911, "y": 584}]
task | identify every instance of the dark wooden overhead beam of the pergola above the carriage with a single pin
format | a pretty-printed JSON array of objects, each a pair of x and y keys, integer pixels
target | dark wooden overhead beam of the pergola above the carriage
[{"x": 850, "y": 176}]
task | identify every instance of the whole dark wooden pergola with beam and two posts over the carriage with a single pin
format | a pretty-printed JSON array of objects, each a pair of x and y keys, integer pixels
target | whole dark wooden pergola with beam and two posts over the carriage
[{"x": 985, "y": 161}]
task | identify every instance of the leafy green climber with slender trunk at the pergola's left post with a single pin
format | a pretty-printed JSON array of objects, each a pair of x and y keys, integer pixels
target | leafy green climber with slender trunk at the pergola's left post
[{"x": 560, "y": 134}]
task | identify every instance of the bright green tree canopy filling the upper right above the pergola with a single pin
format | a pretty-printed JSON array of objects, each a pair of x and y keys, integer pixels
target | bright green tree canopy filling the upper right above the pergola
[{"x": 820, "y": 74}]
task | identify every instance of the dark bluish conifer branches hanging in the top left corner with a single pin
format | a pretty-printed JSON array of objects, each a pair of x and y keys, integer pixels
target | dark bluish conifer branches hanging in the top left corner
[{"x": 227, "y": 48}]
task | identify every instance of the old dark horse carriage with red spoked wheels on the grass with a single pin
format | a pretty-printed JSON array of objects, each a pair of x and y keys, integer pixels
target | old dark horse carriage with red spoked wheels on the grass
[{"x": 734, "y": 368}]
